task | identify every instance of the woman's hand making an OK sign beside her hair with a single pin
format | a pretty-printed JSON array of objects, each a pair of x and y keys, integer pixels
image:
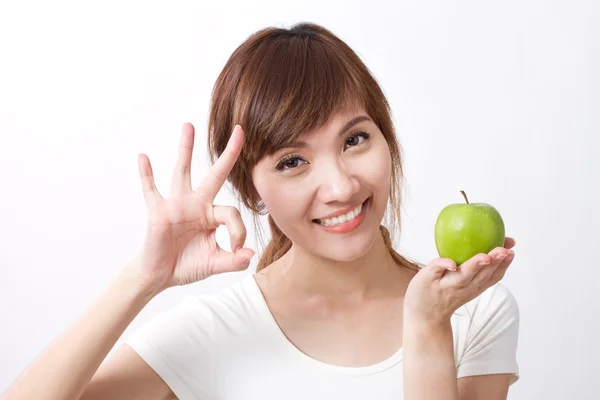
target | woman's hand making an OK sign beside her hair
[{"x": 180, "y": 245}]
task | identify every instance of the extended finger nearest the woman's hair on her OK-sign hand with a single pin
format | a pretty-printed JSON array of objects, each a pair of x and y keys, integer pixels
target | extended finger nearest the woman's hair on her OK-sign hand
[{"x": 220, "y": 170}]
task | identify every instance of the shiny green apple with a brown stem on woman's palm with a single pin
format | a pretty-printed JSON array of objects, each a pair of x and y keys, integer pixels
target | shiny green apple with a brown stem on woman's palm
[{"x": 464, "y": 230}]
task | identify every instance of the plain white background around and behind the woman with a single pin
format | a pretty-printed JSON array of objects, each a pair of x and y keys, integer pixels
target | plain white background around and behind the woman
[{"x": 500, "y": 99}]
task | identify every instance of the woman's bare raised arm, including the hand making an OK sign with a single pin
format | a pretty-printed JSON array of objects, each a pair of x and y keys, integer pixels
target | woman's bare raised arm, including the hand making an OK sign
[{"x": 179, "y": 248}]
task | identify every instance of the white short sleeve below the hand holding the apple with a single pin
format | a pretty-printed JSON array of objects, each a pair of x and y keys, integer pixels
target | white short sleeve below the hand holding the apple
[{"x": 491, "y": 343}]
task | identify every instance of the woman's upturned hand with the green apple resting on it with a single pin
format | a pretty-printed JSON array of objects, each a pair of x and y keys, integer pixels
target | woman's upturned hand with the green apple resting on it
[{"x": 440, "y": 288}]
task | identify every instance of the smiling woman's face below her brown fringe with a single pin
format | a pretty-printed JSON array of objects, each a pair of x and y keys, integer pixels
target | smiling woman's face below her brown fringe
[{"x": 328, "y": 193}]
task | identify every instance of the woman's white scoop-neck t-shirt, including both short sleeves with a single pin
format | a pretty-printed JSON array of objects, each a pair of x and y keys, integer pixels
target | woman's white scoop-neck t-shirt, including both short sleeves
[{"x": 228, "y": 346}]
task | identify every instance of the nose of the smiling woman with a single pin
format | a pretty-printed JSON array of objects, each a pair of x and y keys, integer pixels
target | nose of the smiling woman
[{"x": 337, "y": 183}]
